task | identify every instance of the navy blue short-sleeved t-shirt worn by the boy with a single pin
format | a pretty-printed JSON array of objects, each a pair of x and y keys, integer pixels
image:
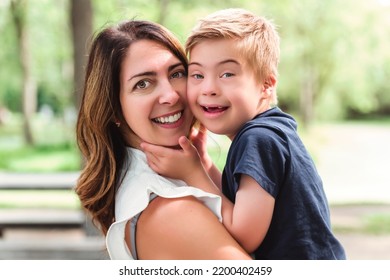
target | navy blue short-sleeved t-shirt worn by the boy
[{"x": 269, "y": 150}]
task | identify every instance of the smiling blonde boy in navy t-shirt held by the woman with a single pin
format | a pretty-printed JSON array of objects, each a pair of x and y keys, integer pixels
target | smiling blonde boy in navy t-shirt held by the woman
[{"x": 276, "y": 206}]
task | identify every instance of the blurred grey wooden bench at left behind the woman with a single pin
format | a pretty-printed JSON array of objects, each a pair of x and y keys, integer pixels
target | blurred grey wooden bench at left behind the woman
[{"x": 47, "y": 220}]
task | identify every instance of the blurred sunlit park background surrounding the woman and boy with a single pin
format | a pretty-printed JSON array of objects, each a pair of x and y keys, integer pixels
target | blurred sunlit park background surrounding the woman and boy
[{"x": 333, "y": 78}]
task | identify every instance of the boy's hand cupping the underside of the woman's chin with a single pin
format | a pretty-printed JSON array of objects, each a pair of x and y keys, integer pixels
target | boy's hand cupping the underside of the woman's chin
[{"x": 173, "y": 163}]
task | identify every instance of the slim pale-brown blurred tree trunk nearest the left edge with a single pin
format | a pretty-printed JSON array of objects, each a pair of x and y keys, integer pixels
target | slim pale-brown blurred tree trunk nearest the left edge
[{"x": 29, "y": 91}]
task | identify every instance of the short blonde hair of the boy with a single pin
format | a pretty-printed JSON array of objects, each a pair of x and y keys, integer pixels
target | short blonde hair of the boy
[{"x": 256, "y": 37}]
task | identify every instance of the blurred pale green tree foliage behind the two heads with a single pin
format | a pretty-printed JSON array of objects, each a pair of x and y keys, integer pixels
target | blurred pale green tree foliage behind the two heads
[{"x": 342, "y": 46}]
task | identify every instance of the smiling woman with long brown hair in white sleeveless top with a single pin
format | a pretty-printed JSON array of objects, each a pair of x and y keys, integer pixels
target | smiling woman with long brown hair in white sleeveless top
[{"x": 135, "y": 88}]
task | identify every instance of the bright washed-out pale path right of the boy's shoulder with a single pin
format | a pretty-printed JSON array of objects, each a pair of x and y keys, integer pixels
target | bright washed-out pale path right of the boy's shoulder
[{"x": 353, "y": 161}]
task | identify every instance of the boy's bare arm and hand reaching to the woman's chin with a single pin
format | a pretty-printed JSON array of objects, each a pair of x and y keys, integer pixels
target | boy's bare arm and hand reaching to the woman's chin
[{"x": 247, "y": 220}]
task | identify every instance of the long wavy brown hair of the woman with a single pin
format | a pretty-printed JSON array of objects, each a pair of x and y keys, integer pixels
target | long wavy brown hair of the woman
[{"x": 99, "y": 139}]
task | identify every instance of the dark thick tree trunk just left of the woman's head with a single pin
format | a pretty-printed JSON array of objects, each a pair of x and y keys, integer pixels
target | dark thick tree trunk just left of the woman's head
[{"x": 81, "y": 21}]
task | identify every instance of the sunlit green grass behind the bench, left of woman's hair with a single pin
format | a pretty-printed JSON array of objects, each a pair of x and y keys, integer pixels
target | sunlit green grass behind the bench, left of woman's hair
[{"x": 55, "y": 149}]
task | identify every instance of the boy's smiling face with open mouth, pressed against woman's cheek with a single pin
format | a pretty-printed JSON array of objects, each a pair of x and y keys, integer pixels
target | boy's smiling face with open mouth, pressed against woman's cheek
[{"x": 222, "y": 89}]
